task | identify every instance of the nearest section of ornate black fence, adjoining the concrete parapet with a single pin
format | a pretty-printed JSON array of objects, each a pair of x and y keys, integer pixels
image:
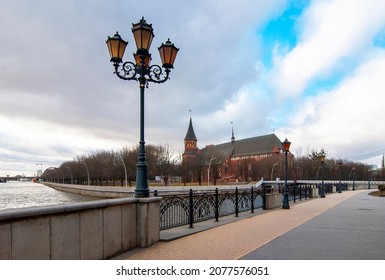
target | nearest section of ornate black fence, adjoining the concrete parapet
[{"x": 196, "y": 206}]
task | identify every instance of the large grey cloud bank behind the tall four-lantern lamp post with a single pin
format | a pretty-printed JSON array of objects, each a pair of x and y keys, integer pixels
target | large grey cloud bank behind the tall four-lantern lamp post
[{"x": 58, "y": 92}]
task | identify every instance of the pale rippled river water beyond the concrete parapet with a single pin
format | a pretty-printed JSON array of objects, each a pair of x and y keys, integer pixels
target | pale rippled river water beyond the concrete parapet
[{"x": 27, "y": 194}]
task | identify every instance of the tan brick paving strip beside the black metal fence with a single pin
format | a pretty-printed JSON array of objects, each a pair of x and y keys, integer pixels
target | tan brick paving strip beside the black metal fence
[{"x": 242, "y": 238}]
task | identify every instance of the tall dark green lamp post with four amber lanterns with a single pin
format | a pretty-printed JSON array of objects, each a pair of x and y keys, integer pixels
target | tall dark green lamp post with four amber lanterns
[{"x": 142, "y": 72}]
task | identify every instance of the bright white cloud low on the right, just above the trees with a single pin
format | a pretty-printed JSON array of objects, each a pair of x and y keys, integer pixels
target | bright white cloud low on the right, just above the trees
[{"x": 346, "y": 120}]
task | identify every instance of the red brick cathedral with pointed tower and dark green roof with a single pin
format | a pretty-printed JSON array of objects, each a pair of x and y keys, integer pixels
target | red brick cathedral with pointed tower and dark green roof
[{"x": 232, "y": 161}]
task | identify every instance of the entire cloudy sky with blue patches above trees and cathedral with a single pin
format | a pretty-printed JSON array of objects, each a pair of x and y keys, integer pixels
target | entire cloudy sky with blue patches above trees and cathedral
[{"x": 309, "y": 71}]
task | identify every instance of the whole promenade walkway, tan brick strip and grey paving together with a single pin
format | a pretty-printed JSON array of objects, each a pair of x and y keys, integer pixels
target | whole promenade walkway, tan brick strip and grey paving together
[{"x": 246, "y": 238}]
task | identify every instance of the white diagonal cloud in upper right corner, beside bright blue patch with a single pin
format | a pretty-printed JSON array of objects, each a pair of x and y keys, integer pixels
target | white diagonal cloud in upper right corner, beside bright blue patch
[{"x": 332, "y": 33}]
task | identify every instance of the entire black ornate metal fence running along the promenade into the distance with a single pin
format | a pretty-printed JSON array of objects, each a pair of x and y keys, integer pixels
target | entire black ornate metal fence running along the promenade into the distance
[{"x": 178, "y": 209}]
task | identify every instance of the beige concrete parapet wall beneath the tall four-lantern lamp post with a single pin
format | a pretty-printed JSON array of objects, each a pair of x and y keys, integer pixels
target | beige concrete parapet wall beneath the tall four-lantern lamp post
[{"x": 88, "y": 230}]
